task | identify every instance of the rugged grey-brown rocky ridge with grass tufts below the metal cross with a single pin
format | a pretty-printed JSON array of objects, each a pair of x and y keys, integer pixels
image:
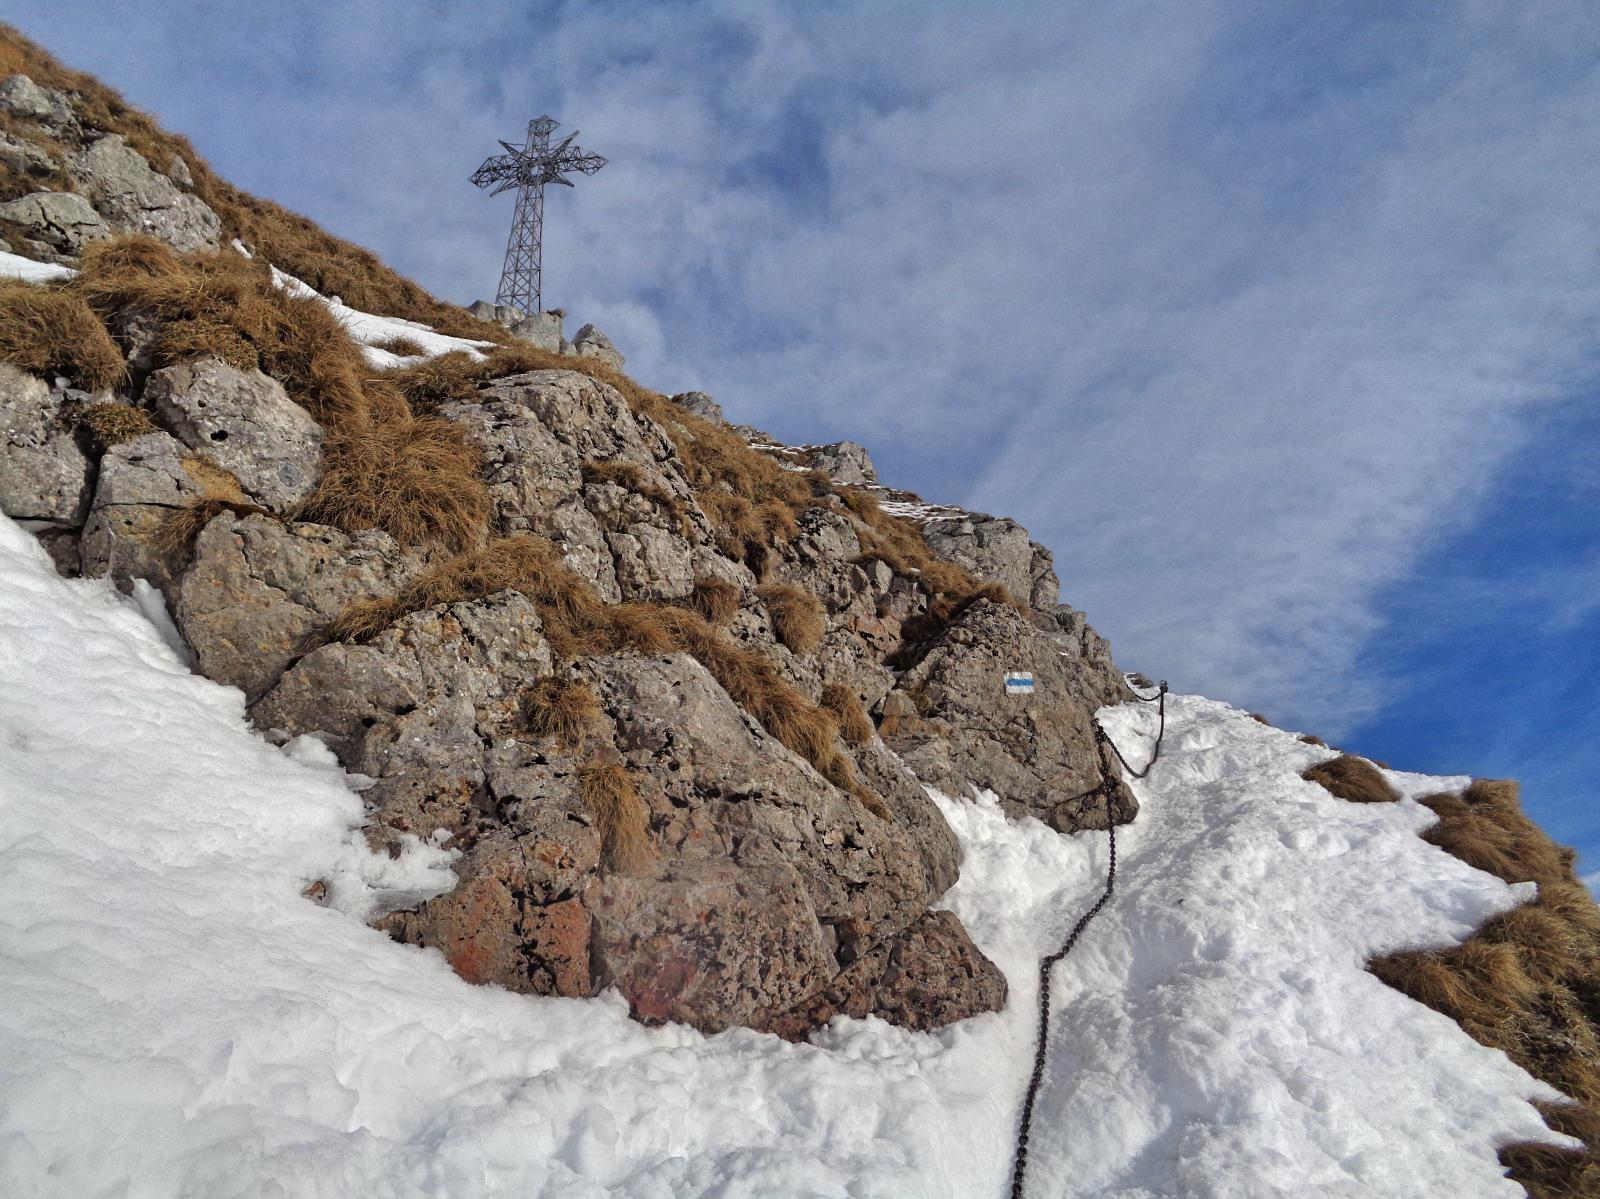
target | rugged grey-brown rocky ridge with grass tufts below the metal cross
[{"x": 678, "y": 732}]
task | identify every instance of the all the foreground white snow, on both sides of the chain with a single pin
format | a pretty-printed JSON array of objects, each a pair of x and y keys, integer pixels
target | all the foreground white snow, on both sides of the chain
[{"x": 178, "y": 1021}]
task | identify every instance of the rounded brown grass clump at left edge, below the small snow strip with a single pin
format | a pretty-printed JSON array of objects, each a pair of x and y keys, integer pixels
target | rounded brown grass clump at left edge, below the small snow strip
[{"x": 49, "y": 331}]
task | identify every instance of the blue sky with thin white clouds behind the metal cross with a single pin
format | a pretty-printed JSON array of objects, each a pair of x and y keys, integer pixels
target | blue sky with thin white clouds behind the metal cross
[{"x": 1276, "y": 323}]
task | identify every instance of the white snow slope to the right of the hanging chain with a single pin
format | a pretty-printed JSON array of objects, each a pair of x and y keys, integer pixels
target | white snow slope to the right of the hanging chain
[{"x": 1215, "y": 1033}]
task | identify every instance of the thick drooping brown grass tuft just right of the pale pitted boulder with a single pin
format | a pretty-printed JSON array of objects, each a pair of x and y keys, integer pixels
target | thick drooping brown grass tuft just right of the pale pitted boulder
[{"x": 415, "y": 479}]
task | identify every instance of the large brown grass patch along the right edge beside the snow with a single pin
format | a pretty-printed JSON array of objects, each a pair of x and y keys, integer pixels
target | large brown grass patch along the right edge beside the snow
[{"x": 1527, "y": 982}]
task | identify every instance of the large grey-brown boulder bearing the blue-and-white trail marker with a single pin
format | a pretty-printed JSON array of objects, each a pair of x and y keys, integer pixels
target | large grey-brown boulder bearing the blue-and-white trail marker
[{"x": 956, "y": 728}]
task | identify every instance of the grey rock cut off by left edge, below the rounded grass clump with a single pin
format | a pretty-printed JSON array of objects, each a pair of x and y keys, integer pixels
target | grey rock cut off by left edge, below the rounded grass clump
[{"x": 44, "y": 475}]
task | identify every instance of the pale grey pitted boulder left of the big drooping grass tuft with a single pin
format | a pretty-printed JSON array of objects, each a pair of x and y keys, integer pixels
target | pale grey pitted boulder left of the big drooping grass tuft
[{"x": 246, "y": 422}]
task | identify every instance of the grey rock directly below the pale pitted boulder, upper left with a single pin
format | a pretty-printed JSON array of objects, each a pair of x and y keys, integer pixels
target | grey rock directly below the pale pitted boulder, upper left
[{"x": 142, "y": 484}]
